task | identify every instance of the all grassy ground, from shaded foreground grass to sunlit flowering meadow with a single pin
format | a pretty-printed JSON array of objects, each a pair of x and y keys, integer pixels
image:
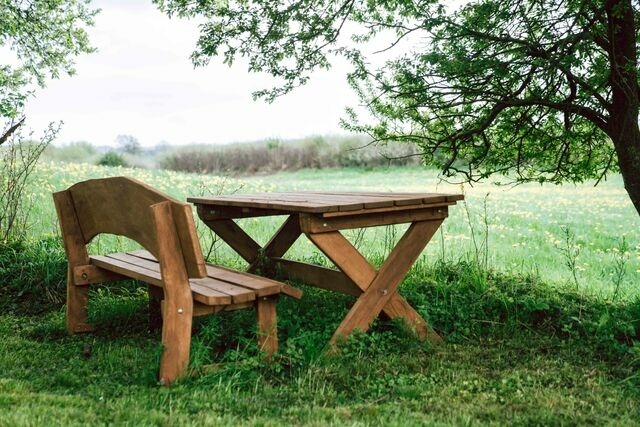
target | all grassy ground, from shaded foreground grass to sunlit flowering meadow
[{"x": 534, "y": 289}]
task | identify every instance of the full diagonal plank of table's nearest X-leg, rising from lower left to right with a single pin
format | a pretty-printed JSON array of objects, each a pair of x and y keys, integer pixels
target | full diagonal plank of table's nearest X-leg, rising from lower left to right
[{"x": 386, "y": 282}]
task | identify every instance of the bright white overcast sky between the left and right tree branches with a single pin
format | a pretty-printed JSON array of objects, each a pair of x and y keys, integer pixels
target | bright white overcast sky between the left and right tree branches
[{"x": 141, "y": 82}]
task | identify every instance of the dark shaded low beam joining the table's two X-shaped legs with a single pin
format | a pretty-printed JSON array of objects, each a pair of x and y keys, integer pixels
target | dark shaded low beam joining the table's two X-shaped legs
[{"x": 320, "y": 277}]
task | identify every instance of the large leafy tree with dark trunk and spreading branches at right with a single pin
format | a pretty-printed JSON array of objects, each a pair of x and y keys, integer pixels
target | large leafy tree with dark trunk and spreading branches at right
[{"x": 535, "y": 90}]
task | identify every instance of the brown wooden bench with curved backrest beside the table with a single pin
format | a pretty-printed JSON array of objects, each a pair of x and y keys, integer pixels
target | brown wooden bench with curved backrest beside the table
[{"x": 181, "y": 284}]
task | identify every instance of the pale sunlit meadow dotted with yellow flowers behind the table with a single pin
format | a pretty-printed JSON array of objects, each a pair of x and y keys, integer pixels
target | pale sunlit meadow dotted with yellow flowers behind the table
[{"x": 522, "y": 229}]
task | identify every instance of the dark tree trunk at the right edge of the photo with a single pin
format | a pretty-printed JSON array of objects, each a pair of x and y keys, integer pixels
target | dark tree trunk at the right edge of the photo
[{"x": 623, "y": 122}]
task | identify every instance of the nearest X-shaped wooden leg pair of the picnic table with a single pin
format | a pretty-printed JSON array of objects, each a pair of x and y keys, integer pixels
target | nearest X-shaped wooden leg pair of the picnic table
[{"x": 379, "y": 288}]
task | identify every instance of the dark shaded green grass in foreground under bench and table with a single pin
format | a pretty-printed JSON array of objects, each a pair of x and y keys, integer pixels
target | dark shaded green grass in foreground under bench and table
[{"x": 516, "y": 353}]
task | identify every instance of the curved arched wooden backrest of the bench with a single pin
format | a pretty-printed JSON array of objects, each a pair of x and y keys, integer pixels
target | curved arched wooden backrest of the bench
[{"x": 122, "y": 206}]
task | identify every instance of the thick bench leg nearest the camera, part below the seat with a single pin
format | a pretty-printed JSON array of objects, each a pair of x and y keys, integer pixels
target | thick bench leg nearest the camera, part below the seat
[{"x": 177, "y": 316}]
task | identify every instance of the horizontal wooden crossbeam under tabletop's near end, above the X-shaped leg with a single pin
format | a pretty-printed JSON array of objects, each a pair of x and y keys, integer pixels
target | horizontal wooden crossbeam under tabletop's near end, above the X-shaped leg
[{"x": 315, "y": 224}]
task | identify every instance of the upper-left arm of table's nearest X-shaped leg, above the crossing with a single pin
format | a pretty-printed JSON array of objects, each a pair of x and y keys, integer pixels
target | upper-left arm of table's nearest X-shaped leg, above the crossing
[{"x": 346, "y": 257}]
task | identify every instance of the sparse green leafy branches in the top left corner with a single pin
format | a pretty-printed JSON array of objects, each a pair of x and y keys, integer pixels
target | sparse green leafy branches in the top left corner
[{"x": 39, "y": 40}]
